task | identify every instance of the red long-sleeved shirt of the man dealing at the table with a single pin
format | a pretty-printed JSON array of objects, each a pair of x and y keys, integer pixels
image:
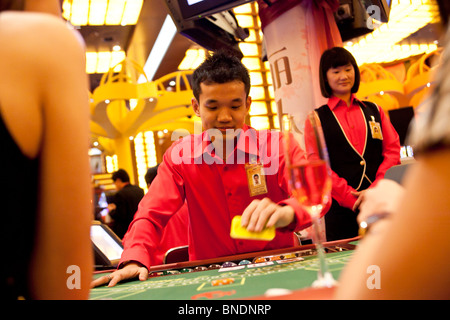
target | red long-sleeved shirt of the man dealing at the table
[{"x": 215, "y": 192}]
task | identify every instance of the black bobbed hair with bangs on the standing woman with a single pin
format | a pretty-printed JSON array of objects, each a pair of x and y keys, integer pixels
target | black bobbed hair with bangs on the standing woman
[{"x": 333, "y": 58}]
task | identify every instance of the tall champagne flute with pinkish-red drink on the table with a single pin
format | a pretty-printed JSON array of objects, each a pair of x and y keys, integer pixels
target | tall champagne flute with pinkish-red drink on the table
[{"x": 310, "y": 181}]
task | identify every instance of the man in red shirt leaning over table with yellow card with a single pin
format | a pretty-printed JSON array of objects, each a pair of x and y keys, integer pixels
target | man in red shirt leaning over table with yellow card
[{"x": 213, "y": 172}]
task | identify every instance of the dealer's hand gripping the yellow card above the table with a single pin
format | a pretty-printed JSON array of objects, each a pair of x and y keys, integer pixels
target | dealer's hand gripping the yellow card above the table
[{"x": 265, "y": 213}]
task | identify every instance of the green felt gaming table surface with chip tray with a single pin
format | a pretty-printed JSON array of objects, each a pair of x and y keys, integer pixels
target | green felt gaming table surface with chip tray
[{"x": 250, "y": 281}]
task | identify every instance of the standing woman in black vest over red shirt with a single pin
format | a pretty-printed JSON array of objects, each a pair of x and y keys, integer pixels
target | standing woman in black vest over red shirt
[{"x": 361, "y": 141}]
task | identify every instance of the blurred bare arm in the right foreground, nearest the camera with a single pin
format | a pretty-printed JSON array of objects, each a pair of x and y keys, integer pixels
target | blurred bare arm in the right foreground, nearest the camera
[{"x": 410, "y": 249}]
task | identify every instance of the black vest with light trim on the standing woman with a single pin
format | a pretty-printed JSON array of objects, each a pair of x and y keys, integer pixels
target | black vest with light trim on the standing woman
[{"x": 345, "y": 161}]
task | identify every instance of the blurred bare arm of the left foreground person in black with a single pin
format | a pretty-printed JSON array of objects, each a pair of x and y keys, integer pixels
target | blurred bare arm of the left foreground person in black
[{"x": 65, "y": 209}]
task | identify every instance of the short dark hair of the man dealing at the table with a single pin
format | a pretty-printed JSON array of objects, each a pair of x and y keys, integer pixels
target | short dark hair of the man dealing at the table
[{"x": 221, "y": 67}]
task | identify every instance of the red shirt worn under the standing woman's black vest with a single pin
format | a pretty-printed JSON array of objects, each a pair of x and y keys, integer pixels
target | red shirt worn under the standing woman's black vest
[{"x": 352, "y": 122}]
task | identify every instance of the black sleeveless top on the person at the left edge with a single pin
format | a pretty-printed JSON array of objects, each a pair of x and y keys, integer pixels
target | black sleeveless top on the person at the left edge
[{"x": 18, "y": 208}]
